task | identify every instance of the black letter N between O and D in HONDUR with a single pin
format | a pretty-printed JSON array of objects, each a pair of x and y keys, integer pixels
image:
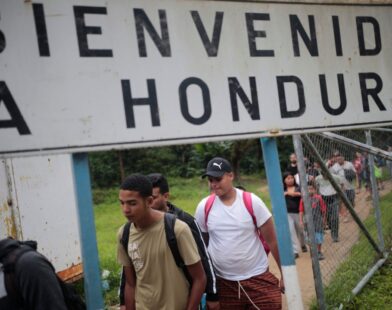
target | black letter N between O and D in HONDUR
[{"x": 251, "y": 106}]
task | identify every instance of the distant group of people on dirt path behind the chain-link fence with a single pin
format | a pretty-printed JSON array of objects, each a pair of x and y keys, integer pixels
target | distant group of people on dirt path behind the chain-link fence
[{"x": 324, "y": 199}]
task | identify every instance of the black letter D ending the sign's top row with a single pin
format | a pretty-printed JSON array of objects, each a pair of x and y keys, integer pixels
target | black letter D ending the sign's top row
[{"x": 363, "y": 51}]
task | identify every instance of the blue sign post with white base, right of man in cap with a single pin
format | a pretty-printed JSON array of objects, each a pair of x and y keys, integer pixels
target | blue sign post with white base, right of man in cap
[{"x": 275, "y": 186}]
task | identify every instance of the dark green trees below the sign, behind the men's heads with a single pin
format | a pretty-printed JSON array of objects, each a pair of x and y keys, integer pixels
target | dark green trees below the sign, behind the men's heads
[{"x": 109, "y": 168}]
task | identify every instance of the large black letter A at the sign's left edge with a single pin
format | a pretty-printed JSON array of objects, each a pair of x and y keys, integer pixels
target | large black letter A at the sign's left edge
[{"x": 17, "y": 119}]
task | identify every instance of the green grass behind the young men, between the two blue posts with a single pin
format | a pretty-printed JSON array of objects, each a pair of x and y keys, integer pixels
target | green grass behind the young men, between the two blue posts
[{"x": 184, "y": 193}]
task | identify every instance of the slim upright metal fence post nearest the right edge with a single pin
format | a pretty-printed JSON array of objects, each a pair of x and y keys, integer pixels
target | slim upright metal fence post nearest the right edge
[{"x": 375, "y": 196}]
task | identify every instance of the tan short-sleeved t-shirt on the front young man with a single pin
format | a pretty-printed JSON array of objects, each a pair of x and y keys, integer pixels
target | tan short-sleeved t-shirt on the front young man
[{"x": 160, "y": 284}]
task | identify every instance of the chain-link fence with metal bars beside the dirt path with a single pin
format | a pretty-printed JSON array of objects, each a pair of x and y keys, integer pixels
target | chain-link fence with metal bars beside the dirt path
[{"x": 354, "y": 224}]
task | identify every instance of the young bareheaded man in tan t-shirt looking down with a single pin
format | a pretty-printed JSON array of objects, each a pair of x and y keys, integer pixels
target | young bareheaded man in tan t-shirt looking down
[{"x": 152, "y": 278}]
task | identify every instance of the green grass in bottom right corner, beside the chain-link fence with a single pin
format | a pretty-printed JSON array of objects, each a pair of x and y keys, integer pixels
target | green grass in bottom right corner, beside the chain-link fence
[{"x": 362, "y": 257}]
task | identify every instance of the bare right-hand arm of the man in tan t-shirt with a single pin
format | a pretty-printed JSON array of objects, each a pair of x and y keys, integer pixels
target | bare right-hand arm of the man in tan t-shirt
[{"x": 199, "y": 281}]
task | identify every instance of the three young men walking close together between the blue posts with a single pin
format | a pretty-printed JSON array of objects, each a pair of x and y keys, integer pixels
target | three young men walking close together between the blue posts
[{"x": 224, "y": 248}]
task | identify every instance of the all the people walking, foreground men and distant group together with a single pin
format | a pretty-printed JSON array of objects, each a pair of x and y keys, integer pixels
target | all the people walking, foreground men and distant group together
[{"x": 171, "y": 259}]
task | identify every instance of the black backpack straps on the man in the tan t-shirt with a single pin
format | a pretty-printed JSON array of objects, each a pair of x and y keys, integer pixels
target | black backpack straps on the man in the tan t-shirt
[{"x": 171, "y": 239}]
